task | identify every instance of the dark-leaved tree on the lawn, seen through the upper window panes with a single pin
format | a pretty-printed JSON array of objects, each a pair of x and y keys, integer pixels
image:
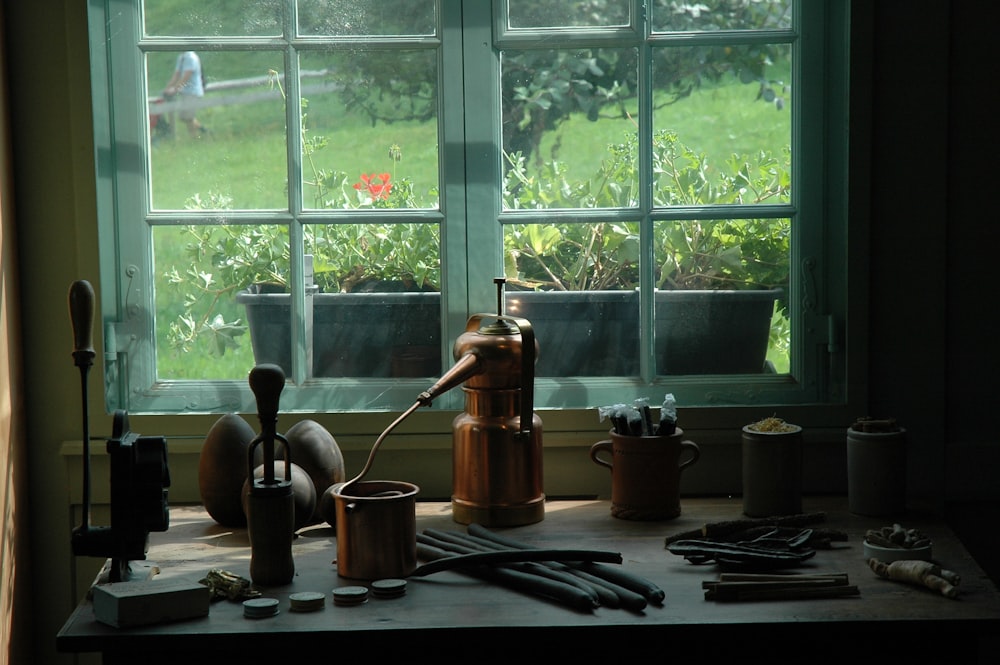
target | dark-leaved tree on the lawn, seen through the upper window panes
[{"x": 541, "y": 87}]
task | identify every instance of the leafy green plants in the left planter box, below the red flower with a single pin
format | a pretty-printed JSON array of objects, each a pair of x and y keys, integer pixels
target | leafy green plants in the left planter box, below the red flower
[{"x": 346, "y": 257}]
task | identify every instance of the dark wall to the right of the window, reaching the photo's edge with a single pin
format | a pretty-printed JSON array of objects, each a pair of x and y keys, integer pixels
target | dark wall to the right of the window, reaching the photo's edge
[{"x": 932, "y": 236}]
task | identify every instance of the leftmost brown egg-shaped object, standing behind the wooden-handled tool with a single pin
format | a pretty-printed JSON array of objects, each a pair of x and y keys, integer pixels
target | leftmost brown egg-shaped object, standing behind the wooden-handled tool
[{"x": 223, "y": 469}]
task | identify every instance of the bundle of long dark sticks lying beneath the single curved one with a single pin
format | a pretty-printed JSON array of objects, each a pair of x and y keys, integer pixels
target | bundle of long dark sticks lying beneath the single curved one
[{"x": 582, "y": 585}]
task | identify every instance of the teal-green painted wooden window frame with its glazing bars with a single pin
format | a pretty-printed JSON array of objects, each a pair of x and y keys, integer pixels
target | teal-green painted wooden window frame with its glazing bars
[{"x": 818, "y": 288}]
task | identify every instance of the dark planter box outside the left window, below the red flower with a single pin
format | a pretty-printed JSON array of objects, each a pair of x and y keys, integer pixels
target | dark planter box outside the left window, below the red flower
[{"x": 353, "y": 334}]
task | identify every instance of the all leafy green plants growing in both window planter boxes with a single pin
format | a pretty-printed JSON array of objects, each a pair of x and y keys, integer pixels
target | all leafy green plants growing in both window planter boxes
[{"x": 689, "y": 254}]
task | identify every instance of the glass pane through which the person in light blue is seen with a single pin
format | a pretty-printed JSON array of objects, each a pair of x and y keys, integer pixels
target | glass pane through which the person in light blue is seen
[{"x": 224, "y": 149}]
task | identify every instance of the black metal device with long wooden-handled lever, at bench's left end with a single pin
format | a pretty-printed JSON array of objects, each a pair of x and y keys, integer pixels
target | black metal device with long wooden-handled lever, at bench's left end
[{"x": 138, "y": 468}]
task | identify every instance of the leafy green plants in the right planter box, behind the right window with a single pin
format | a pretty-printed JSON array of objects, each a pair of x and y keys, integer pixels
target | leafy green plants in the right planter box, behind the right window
[{"x": 690, "y": 254}]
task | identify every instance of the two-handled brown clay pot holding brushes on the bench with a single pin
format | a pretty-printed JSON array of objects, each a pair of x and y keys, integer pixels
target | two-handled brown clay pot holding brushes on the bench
[{"x": 645, "y": 473}]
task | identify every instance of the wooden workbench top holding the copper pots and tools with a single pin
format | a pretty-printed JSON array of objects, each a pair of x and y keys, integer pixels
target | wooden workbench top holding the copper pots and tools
[{"x": 449, "y": 617}]
